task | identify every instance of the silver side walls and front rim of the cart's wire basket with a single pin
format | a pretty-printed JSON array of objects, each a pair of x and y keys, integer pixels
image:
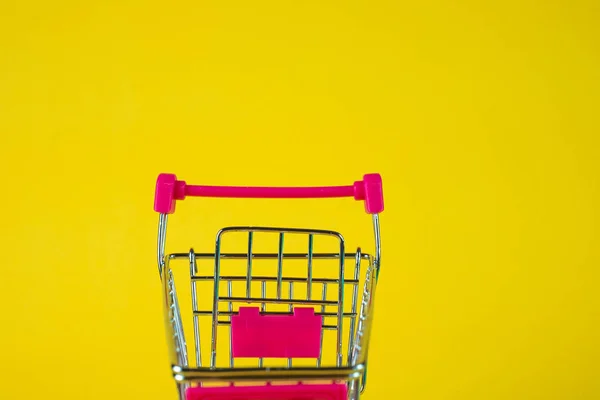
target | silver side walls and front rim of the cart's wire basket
[{"x": 354, "y": 373}]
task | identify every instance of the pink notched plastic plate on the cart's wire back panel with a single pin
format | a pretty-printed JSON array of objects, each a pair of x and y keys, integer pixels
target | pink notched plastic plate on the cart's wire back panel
[{"x": 276, "y": 336}]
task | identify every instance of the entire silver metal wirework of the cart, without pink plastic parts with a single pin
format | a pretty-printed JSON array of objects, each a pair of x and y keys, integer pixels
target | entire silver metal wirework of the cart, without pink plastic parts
[{"x": 350, "y": 368}]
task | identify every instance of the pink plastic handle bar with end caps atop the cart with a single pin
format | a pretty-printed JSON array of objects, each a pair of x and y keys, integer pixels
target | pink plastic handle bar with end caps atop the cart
[{"x": 169, "y": 190}]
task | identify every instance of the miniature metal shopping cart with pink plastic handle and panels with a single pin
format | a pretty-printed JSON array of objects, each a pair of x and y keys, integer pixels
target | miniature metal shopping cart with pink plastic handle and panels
[{"x": 280, "y": 325}]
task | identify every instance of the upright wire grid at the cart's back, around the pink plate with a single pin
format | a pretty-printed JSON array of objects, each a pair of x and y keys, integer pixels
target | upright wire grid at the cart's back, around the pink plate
[{"x": 308, "y": 278}]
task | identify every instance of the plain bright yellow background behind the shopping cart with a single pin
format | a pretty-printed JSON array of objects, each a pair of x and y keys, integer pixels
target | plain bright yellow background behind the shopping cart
[{"x": 482, "y": 118}]
